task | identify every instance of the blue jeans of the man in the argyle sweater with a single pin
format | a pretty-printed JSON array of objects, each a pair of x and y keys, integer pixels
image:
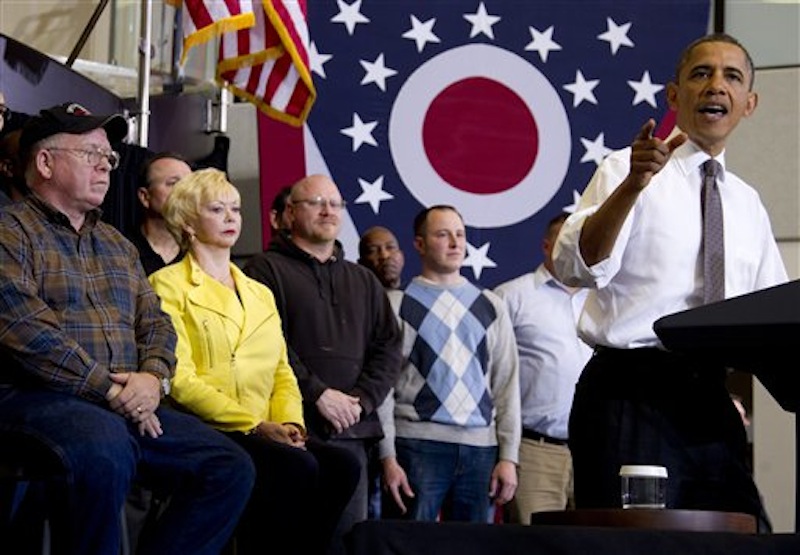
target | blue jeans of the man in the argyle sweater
[{"x": 439, "y": 472}]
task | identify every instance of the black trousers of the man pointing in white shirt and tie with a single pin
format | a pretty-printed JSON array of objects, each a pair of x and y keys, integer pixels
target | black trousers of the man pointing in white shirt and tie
[{"x": 647, "y": 406}]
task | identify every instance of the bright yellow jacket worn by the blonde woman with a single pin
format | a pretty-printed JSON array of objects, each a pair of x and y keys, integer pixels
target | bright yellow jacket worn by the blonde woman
[{"x": 232, "y": 370}]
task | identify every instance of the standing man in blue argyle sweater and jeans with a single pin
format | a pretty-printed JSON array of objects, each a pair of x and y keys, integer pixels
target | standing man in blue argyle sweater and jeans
[{"x": 452, "y": 426}]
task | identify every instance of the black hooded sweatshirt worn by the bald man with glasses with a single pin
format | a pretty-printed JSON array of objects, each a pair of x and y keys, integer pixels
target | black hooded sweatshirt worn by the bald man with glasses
[{"x": 339, "y": 326}]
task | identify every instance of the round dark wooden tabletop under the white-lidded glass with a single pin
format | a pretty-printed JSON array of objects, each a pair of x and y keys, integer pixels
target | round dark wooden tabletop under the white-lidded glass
[{"x": 658, "y": 519}]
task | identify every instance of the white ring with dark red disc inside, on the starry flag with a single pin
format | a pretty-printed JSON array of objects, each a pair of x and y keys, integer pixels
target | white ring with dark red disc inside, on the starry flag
[{"x": 498, "y": 199}]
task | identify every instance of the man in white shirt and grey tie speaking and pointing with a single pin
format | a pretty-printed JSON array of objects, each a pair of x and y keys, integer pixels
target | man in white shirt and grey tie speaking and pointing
[{"x": 639, "y": 240}]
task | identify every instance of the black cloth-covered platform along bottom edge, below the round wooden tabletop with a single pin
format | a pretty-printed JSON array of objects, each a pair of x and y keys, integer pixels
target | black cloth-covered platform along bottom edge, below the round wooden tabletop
[{"x": 394, "y": 537}]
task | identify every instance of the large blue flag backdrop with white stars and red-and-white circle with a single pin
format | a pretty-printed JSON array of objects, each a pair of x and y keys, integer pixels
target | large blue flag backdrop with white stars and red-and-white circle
[{"x": 502, "y": 108}]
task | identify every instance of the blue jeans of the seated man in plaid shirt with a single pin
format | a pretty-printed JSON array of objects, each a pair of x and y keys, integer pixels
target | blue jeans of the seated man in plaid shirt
[{"x": 207, "y": 476}]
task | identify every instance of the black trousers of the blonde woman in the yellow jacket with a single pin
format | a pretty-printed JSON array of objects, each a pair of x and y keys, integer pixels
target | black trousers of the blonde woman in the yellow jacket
[{"x": 299, "y": 495}]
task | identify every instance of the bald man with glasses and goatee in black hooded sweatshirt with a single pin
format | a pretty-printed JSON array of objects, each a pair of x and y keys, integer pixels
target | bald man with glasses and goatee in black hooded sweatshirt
[{"x": 344, "y": 344}]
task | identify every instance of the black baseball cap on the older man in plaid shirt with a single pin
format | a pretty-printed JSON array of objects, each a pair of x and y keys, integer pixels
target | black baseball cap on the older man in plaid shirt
[{"x": 71, "y": 118}]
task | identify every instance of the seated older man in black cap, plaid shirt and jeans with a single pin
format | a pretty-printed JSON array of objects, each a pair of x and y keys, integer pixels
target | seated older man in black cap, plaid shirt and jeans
[{"x": 90, "y": 354}]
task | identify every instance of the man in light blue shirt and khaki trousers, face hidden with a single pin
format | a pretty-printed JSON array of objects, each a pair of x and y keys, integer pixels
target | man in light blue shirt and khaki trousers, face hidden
[{"x": 545, "y": 315}]
